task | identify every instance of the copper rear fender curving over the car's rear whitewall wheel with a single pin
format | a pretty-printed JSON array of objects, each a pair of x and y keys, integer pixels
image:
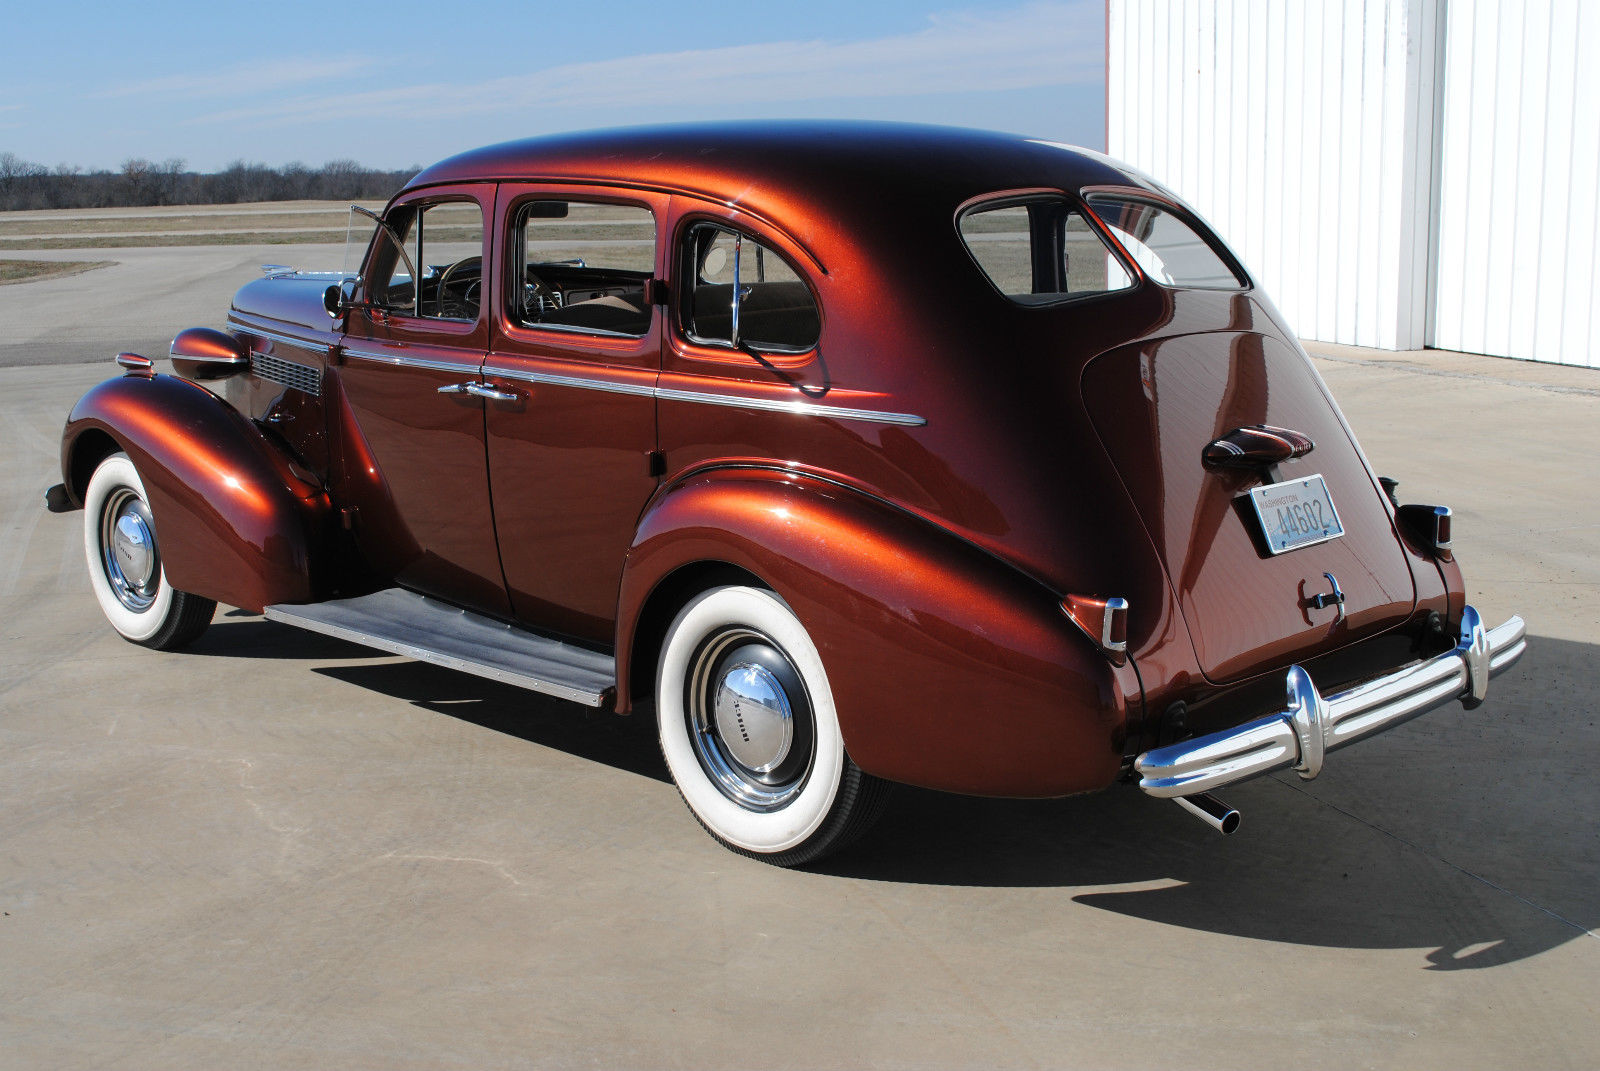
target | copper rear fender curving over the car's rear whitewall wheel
[{"x": 950, "y": 668}]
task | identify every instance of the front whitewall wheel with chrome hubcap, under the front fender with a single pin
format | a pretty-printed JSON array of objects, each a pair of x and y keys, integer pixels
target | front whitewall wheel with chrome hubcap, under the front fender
[{"x": 126, "y": 563}]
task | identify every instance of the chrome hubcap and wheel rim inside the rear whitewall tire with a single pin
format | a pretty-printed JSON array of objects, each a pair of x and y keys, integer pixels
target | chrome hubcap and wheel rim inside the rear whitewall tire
[{"x": 751, "y": 720}]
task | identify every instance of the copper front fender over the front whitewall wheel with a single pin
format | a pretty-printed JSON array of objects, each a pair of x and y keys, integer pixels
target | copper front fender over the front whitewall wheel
[{"x": 234, "y": 519}]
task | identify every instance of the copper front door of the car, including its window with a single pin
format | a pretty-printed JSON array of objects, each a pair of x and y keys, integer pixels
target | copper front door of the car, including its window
[{"x": 415, "y": 473}]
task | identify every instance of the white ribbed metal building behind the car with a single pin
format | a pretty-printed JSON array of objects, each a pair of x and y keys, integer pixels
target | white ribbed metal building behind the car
[{"x": 1398, "y": 174}]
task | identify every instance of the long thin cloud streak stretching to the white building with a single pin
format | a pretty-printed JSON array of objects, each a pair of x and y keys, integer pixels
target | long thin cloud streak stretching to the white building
[{"x": 969, "y": 52}]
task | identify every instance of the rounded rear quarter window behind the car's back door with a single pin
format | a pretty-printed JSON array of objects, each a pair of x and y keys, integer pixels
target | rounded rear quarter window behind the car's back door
[{"x": 745, "y": 294}]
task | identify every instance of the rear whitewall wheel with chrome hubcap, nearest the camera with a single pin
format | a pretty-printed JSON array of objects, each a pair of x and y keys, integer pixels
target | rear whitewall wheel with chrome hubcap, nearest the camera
[{"x": 750, "y": 732}]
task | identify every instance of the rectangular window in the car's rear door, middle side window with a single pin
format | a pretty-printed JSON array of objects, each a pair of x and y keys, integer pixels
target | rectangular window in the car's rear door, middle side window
[{"x": 586, "y": 267}]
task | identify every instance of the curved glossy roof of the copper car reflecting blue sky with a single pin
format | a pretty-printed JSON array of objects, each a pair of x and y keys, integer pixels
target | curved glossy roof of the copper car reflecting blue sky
[{"x": 825, "y": 166}]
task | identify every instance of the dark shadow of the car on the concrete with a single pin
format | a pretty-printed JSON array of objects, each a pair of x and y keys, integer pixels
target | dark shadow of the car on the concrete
[{"x": 1468, "y": 835}]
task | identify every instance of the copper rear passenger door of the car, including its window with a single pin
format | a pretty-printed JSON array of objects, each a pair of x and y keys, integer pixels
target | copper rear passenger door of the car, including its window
[{"x": 572, "y": 431}]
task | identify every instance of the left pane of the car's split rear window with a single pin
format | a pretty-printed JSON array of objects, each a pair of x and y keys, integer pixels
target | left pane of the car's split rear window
[{"x": 1039, "y": 251}]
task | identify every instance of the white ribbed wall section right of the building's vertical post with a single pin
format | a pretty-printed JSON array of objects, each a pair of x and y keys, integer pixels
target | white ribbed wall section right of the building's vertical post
[{"x": 1519, "y": 182}]
